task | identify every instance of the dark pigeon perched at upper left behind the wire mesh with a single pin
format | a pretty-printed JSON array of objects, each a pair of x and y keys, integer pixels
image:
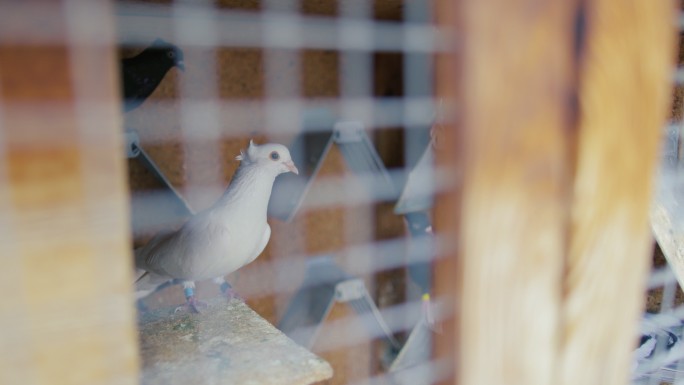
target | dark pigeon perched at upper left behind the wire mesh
[{"x": 142, "y": 73}]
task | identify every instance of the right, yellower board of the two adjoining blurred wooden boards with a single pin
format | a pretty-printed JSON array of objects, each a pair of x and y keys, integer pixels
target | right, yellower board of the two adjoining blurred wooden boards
[{"x": 624, "y": 77}]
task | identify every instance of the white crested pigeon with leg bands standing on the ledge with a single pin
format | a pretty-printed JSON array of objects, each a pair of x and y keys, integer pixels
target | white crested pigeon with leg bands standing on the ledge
[{"x": 222, "y": 239}]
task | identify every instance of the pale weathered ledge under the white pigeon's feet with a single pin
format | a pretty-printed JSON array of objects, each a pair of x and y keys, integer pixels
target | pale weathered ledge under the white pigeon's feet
[{"x": 228, "y": 343}]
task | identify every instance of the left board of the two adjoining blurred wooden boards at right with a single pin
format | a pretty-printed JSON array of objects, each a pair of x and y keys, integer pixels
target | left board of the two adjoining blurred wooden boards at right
[{"x": 510, "y": 131}]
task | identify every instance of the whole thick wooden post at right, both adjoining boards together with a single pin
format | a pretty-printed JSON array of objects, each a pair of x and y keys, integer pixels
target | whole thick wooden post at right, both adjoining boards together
[{"x": 559, "y": 111}]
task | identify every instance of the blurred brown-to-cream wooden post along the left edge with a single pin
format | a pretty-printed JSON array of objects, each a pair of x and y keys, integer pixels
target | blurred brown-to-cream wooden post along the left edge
[{"x": 66, "y": 316}]
